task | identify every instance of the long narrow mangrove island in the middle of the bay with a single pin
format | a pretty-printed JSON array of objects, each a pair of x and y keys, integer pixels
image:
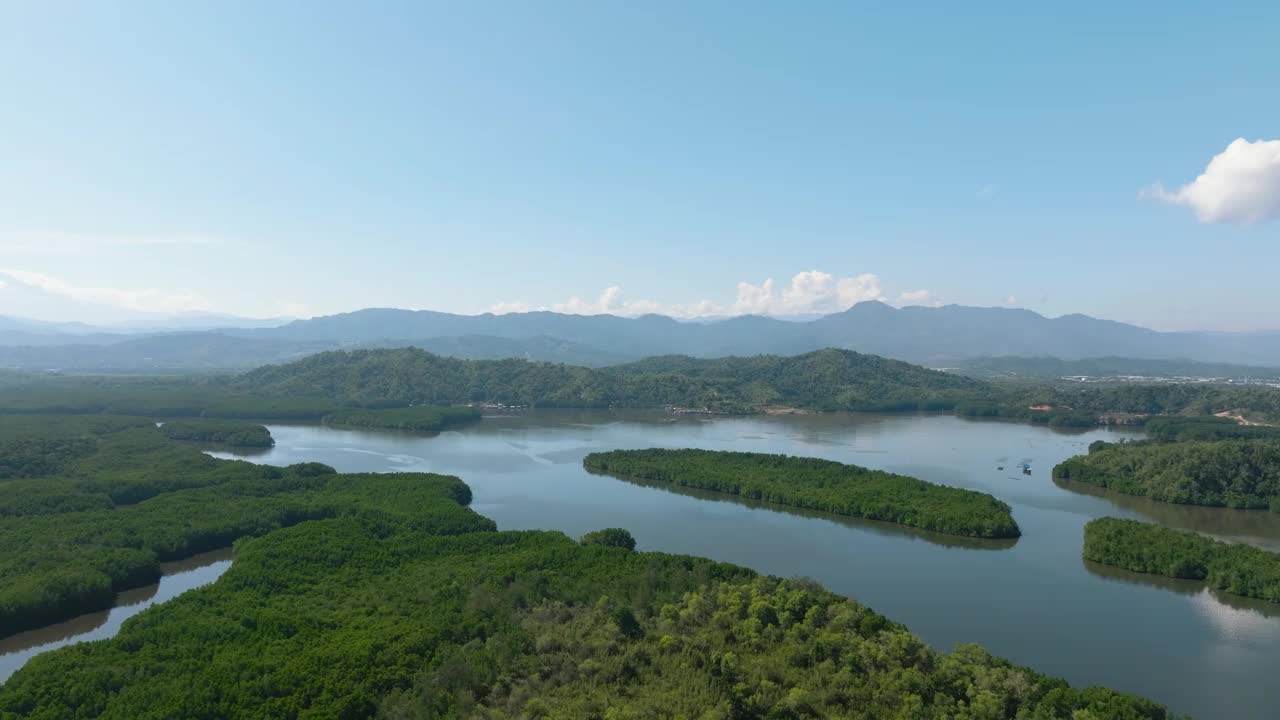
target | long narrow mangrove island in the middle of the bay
[{"x": 817, "y": 485}]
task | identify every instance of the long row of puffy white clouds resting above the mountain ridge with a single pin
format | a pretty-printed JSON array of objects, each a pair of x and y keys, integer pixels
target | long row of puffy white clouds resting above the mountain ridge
[{"x": 812, "y": 291}]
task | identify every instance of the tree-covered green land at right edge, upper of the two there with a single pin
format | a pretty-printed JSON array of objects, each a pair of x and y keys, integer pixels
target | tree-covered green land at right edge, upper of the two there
[{"x": 1224, "y": 473}]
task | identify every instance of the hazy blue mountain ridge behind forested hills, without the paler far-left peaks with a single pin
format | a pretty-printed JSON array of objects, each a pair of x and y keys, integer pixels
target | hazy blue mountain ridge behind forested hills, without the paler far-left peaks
[{"x": 915, "y": 334}]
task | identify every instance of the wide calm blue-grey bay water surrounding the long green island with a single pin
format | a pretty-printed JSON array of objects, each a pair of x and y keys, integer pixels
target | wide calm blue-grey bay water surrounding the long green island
[{"x": 1032, "y": 600}]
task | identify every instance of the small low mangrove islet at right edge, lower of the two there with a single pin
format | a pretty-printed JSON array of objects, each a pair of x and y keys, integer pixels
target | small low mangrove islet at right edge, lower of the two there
[{"x": 1145, "y": 548}]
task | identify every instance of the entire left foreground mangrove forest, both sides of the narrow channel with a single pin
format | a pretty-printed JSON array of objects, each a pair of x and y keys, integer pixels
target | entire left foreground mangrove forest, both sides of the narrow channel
[{"x": 386, "y": 596}]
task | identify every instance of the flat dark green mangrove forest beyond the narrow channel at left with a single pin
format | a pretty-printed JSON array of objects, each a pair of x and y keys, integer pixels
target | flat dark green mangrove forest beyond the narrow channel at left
[{"x": 108, "y": 518}]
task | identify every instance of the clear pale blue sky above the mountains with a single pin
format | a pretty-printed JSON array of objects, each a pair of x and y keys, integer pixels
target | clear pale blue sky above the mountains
[{"x": 303, "y": 158}]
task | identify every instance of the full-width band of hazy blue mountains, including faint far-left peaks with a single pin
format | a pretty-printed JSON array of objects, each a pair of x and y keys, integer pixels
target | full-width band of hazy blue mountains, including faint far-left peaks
[{"x": 929, "y": 336}]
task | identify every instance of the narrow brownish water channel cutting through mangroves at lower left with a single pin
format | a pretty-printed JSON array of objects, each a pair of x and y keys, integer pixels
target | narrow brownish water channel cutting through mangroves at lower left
[{"x": 177, "y": 578}]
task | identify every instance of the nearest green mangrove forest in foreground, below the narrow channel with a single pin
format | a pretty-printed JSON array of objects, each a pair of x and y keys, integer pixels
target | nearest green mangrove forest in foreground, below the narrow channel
[{"x": 348, "y": 619}]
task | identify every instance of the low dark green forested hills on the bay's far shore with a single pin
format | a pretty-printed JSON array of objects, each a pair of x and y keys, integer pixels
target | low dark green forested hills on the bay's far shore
[{"x": 825, "y": 380}]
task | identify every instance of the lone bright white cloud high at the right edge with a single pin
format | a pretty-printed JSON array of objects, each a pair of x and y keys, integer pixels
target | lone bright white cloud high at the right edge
[{"x": 1241, "y": 185}]
